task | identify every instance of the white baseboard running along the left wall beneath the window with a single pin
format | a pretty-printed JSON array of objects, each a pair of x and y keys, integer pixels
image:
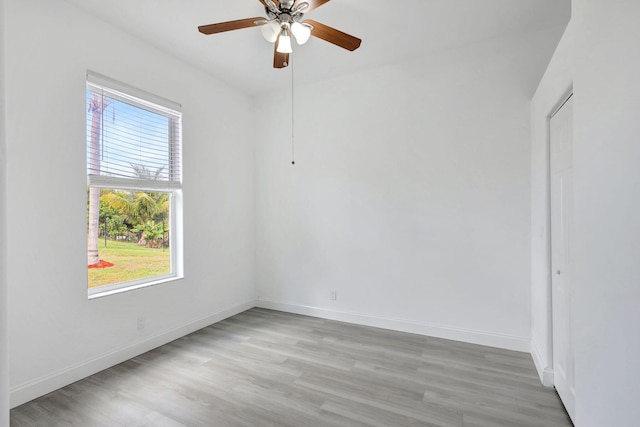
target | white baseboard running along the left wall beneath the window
[{"x": 48, "y": 383}]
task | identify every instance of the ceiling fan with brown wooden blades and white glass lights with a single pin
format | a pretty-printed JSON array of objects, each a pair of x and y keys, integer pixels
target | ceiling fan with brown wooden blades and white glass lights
[{"x": 284, "y": 18}]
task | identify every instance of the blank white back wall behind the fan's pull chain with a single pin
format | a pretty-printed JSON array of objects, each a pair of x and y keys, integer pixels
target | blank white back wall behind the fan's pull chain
[{"x": 410, "y": 196}]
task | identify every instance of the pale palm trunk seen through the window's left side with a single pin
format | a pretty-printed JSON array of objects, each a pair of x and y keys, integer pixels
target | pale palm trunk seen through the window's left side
[{"x": 96, "y": 108}]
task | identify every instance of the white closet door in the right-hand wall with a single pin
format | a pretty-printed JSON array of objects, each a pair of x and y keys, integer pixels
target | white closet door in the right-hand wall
[{"x": 561, "y": 163}]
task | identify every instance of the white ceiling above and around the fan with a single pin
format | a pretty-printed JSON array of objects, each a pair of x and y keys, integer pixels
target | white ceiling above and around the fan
[{"x": 391, "y": 31}]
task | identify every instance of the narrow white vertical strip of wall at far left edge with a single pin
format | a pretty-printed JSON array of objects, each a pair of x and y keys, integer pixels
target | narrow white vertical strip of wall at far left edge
[{"x": 4, "y": 342}]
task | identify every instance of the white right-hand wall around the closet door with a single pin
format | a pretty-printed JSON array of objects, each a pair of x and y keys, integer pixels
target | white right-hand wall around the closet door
[{"x": 602, "y": 61}]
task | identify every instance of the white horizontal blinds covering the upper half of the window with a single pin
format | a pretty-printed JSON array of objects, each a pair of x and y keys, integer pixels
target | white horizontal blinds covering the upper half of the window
[{"x": 131, "y": 135}]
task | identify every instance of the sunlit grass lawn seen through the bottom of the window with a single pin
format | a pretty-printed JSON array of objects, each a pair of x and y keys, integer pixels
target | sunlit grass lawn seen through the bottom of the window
[{"x": 130, "y": 262}]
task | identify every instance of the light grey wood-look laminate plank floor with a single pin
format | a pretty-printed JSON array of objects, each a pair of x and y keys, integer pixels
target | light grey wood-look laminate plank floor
[{"x": 268, "y": 368}]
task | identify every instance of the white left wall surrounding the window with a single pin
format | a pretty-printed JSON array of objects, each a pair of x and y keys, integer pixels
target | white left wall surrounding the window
[{"x": 56, "y": 334}]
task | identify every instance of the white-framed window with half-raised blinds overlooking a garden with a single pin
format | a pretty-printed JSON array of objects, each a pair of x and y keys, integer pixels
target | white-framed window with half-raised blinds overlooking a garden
[{"x": 134, "y": 195}]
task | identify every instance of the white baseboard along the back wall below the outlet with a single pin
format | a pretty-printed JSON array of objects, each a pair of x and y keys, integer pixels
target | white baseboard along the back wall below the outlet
[{"x": 429, "y": 329}]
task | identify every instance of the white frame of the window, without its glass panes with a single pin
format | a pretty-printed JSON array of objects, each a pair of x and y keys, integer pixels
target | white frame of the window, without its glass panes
[{"x": 147, "y": 101}]
